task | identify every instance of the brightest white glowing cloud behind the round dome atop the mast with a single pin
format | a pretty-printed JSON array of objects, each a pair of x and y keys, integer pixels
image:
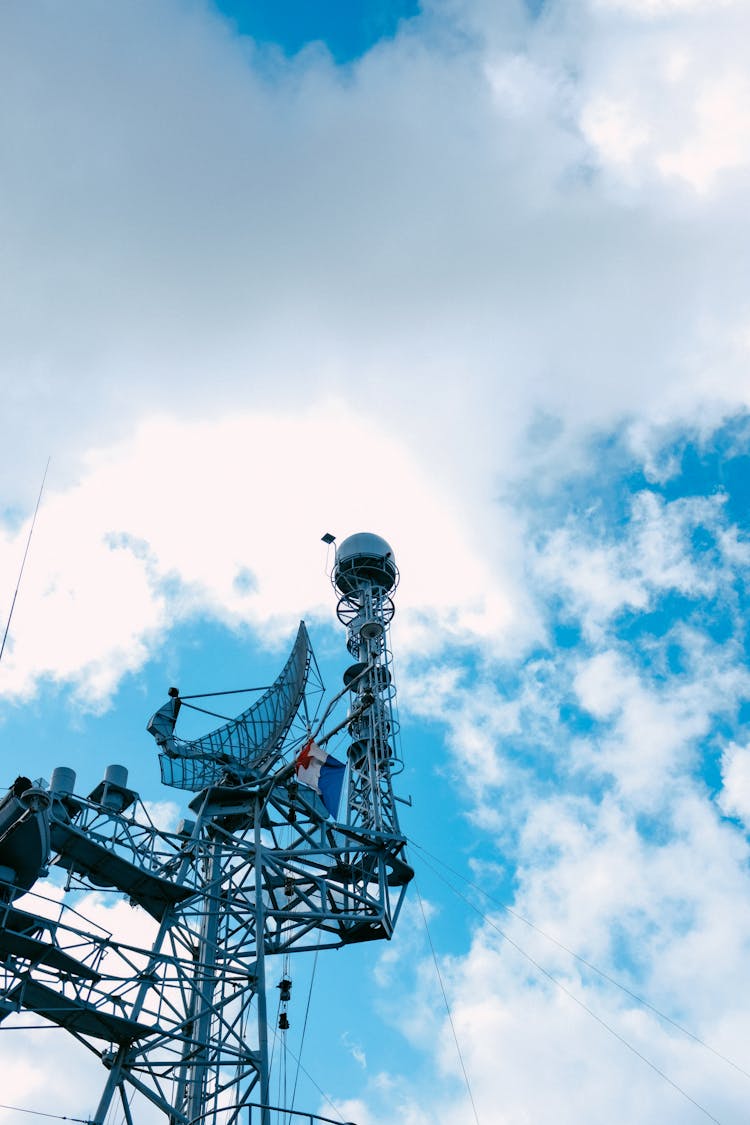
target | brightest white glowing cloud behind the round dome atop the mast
[{"x": 166, "y": 526}]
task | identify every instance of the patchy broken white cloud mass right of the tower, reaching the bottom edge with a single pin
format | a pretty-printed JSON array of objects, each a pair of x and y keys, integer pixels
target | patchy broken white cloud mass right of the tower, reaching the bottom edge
[{"x": 618, "y": 850}]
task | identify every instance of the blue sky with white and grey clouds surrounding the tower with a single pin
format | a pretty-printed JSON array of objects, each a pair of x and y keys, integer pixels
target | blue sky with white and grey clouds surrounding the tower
[{"x": 474, "y": 276}]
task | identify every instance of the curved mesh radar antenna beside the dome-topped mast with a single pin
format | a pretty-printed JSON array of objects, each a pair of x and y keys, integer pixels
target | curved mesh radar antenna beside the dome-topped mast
[{"x": 246, "y": 746}]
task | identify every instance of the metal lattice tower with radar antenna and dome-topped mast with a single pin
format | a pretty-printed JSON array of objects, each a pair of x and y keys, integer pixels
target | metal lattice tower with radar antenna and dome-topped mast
[{"x": 265, "y": 868}]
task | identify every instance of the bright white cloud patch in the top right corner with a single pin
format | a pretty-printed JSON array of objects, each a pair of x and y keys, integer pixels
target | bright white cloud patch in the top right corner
[{"x": 672, "y": 98}]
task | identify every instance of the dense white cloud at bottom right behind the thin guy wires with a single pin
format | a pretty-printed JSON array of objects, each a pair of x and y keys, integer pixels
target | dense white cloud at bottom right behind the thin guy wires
[{"x": 653, "y": 914}]
